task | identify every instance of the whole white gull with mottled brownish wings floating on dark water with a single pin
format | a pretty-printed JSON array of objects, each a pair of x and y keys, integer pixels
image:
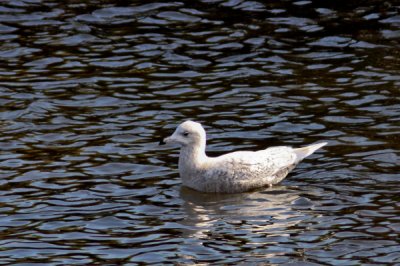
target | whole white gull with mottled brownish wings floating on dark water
[{"x": 233, "y": 172}]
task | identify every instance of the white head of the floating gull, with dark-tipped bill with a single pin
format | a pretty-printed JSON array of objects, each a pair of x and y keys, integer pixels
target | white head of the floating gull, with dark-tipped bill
[{"x": 186, "y": 134}]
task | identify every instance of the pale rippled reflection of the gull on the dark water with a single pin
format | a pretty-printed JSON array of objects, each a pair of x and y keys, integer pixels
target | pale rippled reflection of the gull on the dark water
[{"x": 273, "y": 212}]
